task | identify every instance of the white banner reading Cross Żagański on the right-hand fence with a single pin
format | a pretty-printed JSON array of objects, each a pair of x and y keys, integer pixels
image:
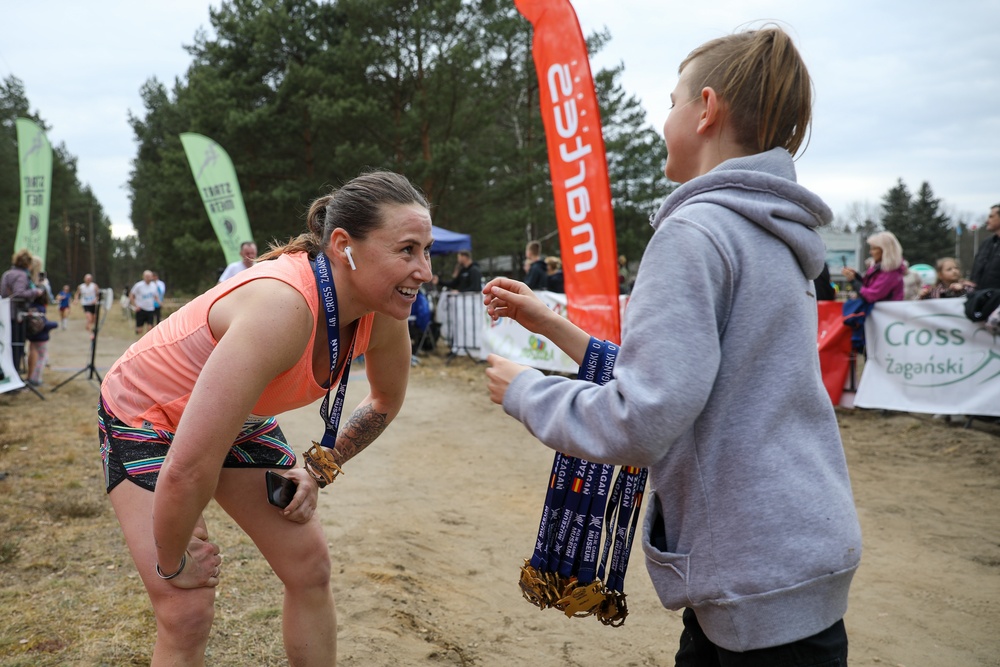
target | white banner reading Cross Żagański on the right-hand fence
[{"x": 926, "y": 356}]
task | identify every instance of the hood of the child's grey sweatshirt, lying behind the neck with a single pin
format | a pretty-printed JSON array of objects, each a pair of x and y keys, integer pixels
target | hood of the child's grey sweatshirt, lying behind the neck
[{"x": 762, "y": 189}]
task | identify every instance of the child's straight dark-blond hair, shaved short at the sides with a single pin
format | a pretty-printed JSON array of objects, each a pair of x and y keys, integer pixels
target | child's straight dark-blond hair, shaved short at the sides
[{"x": 763, "y": 83}]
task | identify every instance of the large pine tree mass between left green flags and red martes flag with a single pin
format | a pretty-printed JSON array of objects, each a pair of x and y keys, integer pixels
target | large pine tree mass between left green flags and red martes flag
[{"x": 306, "y": 95}]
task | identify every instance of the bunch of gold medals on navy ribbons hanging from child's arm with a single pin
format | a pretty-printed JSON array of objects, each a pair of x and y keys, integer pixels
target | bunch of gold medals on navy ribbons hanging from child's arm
[{"x": 569, "y": 570}]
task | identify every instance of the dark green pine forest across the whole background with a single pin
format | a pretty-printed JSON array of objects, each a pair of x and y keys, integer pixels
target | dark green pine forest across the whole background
[{"x": 304, "y": 95}]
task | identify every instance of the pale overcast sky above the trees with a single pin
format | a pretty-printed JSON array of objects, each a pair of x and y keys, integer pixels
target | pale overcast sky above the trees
[{"x": 903, "y": 90}]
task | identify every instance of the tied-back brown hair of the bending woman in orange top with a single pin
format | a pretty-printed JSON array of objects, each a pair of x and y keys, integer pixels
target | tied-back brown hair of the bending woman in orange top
[{"x": 356, "y": 207}]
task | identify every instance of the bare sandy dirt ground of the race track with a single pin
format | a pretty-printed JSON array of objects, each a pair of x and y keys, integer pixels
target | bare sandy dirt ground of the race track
[{"x": 429, "y": 527}]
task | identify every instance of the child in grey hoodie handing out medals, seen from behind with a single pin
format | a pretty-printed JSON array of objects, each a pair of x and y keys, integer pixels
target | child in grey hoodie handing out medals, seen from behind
[{"x": 751, "y": 526}]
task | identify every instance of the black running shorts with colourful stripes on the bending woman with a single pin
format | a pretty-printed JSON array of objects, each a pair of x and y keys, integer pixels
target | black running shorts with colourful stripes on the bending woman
[{"x": 137, "y": 453}]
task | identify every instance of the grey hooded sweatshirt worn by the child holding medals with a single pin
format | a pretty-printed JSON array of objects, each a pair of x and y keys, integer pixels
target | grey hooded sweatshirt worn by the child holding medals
[{"x": 718, "y": 391}]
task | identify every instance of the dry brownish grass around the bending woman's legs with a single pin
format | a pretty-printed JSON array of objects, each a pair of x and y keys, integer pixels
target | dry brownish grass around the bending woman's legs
[{"x": 68, "y": 587}]
